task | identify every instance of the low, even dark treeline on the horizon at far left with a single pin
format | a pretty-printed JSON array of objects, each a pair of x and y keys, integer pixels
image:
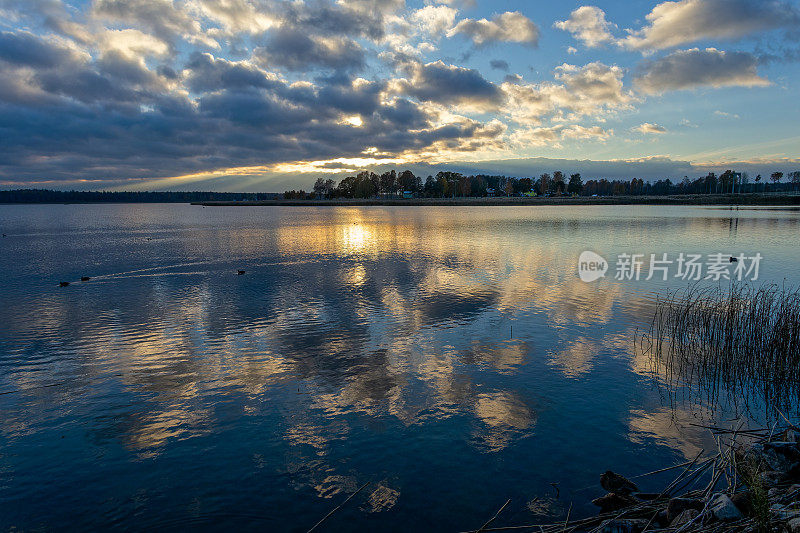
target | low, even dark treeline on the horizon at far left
[{"x": 44, "y": 196}]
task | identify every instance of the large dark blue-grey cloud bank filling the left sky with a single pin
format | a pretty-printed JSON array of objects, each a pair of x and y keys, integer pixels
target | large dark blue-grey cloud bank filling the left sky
[{"x": 112, "y": 118}]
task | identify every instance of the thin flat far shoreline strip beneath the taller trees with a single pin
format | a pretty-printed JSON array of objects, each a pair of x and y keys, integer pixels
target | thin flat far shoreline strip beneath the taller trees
[{"x": 695, "y": 199}]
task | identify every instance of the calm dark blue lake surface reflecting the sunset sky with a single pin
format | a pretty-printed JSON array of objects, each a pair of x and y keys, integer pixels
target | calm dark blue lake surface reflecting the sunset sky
[{"x": 362, "y": 345}]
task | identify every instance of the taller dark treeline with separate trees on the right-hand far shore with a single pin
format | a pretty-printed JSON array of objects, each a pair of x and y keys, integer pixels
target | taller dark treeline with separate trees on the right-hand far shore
[{"x": 452, "y": 184}]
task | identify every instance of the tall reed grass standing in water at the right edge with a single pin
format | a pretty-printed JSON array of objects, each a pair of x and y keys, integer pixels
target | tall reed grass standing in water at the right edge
[{"x": 736, "y": 343}]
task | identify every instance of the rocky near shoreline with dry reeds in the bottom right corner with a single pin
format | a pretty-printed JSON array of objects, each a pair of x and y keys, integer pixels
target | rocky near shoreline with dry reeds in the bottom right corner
[{"x": 751, "y": 485}]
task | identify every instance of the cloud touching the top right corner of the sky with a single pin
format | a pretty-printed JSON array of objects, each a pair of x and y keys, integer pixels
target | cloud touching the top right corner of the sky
[{"x": 672, "y": 24}]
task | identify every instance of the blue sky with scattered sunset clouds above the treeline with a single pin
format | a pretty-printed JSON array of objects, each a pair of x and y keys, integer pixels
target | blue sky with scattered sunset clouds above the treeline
[{"x": 266, "y": 95}]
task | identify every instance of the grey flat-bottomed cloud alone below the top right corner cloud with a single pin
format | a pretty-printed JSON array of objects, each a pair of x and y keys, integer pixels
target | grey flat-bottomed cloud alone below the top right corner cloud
[{"x": 689, "y": 69}]
